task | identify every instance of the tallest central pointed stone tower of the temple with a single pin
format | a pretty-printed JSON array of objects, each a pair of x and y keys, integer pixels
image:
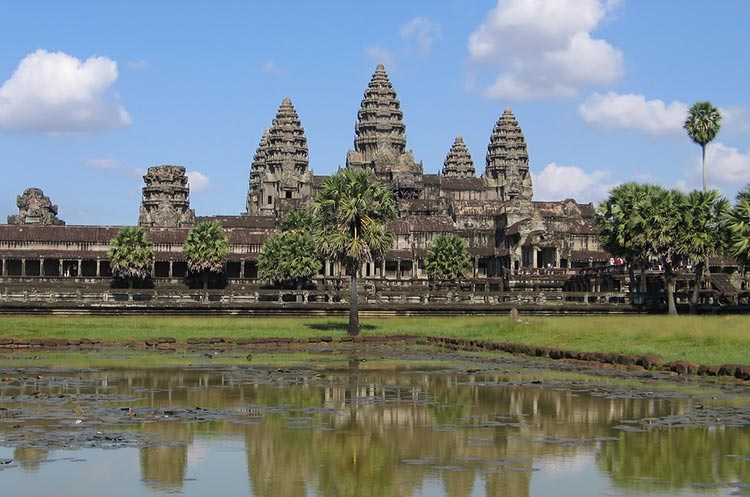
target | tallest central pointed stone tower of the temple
[{"x": 380, "y": 141}]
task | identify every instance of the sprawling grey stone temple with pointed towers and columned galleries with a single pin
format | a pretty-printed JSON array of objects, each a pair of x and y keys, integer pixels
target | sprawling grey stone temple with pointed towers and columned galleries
[{"x": 506, "y": 231}]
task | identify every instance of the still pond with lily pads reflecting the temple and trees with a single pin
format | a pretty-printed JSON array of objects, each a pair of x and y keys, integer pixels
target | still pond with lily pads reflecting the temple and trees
[{"x": 356, "y": 431}]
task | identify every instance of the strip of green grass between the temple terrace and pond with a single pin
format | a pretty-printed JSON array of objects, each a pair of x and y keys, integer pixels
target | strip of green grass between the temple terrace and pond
[{"x": 701, "y": 339}]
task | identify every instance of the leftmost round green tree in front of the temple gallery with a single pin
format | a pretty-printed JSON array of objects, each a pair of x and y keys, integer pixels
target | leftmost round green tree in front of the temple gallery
[{"x": 131, "y": 255}]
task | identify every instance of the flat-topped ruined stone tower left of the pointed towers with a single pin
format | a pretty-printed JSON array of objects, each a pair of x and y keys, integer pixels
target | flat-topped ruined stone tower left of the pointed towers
[{"x": 166, "y": 202}]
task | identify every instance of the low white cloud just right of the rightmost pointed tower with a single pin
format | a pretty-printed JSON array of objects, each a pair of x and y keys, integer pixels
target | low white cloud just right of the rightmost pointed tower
[{"x": 560, "y": 182}]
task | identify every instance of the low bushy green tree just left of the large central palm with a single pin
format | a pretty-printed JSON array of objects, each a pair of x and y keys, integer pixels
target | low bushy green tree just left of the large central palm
[{"x": 289, "y": 257}]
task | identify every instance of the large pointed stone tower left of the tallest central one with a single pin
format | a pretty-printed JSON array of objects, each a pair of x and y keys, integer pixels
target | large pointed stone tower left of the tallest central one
[{"x": 279, "y": 176}]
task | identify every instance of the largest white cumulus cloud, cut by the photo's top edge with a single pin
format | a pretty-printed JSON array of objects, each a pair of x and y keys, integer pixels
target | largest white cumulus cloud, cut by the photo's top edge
[{"x": 544, "y": 48}]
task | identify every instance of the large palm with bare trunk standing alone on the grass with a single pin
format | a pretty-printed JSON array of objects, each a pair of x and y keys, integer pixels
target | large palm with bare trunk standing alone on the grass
[{"x": 350, "y": 212}]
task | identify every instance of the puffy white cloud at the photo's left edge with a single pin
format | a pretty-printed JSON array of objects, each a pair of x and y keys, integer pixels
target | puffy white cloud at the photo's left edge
[{"x": 55, "y": 93}]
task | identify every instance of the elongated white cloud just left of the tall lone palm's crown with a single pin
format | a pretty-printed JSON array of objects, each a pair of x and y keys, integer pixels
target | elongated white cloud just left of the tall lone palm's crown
[{"x": 632, "y": 112}]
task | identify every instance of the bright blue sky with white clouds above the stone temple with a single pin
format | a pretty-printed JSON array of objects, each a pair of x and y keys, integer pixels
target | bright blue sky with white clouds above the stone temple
[{"x": 93, "y": 93}]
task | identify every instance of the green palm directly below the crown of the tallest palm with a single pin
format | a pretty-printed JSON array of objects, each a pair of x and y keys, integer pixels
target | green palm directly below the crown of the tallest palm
[{"x": 701, "y": 234}]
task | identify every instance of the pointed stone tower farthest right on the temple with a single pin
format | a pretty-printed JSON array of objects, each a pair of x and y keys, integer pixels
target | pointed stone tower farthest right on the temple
[{"x": 508, "y": 160}]
